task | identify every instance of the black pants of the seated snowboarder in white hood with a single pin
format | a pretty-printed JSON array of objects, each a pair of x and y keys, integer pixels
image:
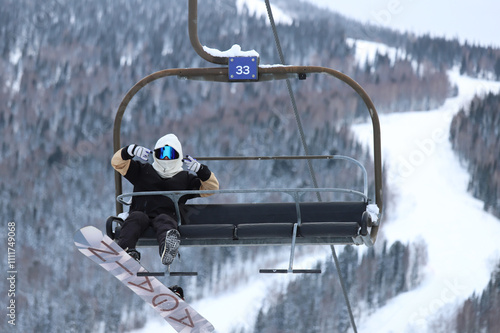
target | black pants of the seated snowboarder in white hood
[{"x": 137, "y": 222}]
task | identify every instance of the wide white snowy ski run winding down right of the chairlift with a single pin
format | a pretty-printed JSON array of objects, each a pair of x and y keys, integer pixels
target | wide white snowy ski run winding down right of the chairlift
[{"x": 432, "y": 204}]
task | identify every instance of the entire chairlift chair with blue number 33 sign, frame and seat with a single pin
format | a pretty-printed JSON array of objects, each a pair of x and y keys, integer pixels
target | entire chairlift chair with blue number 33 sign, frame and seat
[{"x": 284, "y": 223}]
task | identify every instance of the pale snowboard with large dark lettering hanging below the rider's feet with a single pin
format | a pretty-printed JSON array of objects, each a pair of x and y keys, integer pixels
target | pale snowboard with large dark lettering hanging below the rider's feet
[{"x": 104, "y": 251}]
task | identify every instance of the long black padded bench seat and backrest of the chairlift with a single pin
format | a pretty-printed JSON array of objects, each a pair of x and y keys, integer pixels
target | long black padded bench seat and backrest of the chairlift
[{"x": 261, "y": 224}]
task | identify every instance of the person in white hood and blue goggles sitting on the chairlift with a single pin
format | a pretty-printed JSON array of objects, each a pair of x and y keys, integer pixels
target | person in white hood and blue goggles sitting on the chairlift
[{"x": 164, "y": 174}]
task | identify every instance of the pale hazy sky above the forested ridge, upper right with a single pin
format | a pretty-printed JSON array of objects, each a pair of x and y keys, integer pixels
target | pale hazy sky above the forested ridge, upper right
[{"x": 475, "y": 21}]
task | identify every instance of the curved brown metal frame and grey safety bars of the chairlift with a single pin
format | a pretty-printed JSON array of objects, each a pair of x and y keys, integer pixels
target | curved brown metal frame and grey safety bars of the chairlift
[{"x": 265, "y": 73}]
